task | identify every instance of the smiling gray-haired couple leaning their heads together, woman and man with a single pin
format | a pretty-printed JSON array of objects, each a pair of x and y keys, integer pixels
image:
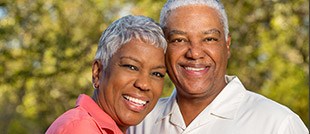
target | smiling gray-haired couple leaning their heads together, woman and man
[{"x": 128, "y": 72}]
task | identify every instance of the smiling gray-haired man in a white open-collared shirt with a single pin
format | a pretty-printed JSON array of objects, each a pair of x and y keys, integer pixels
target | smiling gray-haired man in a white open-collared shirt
[{"x": 206, "y": 101}]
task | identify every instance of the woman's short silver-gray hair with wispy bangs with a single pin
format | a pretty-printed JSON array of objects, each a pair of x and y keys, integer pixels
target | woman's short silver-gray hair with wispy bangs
[{"x": 124, "y": 30}]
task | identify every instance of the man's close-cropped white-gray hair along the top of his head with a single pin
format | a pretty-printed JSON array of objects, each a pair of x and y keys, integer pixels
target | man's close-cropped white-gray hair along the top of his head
[{"x": 215, "y": 4}]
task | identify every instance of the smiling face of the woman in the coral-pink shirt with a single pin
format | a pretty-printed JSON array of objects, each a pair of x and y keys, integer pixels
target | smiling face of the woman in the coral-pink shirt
[{"x": 132, "y": 82}]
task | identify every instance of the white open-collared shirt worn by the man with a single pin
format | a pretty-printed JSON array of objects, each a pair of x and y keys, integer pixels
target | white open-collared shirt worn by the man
[{"x": 234, "y": 111}]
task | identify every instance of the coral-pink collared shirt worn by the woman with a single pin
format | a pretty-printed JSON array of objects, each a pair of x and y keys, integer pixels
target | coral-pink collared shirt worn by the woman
[{"x": 86, "y": 118}]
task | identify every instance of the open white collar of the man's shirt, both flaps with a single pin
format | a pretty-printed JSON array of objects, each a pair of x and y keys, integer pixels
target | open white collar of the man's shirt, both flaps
[{"x": 224, "y": 106}]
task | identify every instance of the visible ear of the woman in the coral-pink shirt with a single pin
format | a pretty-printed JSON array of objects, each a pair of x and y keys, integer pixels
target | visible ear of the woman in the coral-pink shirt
[{"x": 96, "y": 73}]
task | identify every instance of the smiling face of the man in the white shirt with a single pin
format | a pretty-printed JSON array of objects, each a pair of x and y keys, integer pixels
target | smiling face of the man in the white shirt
[{"x": 197, "y": 53}]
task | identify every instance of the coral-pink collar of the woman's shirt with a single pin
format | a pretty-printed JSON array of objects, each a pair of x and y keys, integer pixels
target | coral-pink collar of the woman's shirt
[{"x": 102, "y": 118}]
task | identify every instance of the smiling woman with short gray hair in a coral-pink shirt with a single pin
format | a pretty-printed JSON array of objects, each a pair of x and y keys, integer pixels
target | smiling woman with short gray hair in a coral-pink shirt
[{"x": 128, "y": 77}]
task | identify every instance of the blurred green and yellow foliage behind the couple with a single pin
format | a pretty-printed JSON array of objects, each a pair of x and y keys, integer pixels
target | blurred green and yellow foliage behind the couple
[{"x": 47, "y": 48}]
